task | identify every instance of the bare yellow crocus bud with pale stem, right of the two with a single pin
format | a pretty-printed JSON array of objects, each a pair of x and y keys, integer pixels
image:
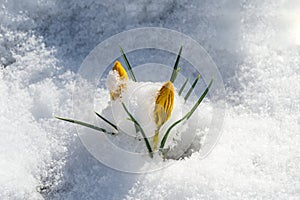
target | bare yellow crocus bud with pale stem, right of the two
[{"x": 164, "y": 104}]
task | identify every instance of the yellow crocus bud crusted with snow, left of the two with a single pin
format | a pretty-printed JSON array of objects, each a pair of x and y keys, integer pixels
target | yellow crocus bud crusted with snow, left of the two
[{"x": 122, "y": 75}]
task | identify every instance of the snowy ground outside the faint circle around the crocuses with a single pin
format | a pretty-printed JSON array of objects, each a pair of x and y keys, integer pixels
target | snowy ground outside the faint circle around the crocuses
[{"x": 255, "y": 44}]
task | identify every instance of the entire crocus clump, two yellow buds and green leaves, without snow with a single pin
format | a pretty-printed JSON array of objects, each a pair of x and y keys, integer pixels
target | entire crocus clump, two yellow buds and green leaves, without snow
[{"x": 117, "y": 84}]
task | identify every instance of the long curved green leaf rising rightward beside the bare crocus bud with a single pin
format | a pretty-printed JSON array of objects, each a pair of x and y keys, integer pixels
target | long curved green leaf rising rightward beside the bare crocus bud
[{"x": 187, "y": 116}]
